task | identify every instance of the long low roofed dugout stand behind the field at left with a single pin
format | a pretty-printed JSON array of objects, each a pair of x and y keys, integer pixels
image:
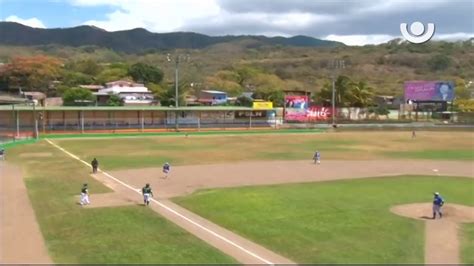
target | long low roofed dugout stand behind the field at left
[{"x": 15, "y": 119}]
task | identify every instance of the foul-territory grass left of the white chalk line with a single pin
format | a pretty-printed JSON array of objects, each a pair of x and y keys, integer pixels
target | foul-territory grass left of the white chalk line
[{"x": 132, "y": 234}]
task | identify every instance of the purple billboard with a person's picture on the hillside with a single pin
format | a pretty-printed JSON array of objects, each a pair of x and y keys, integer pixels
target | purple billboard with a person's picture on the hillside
[{"x": 429, "y": 91}]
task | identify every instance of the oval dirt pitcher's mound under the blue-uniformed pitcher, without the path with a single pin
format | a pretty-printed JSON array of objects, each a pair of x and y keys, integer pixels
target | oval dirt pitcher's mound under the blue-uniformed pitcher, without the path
[{"x": 423, "y": 211}]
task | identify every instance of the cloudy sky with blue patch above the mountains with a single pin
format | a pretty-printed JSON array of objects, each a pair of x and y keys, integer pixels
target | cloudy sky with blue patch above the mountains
[{"x": 353, "y": 22}]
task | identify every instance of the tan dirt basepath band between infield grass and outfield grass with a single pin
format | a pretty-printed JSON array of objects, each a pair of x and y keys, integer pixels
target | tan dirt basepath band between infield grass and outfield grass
[{"x": 186, "y": 179}]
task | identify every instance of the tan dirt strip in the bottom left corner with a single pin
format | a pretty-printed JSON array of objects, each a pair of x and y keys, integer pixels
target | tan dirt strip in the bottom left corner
[{"x": 21, "y": 239}]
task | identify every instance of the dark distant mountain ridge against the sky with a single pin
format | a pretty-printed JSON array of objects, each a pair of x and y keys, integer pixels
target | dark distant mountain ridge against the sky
[{"x": 135, "y": 40}]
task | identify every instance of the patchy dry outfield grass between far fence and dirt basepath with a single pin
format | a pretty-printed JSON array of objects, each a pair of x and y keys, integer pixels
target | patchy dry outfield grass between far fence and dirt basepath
[{"x": 139, "y": 152}]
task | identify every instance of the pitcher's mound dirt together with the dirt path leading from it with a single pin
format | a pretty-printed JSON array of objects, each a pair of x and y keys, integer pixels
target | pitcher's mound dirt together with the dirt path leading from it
[{"x": 441, "y": 235}]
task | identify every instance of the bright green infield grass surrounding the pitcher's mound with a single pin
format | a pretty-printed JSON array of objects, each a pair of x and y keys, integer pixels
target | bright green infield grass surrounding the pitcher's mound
[{"x": 333, "y": 222}]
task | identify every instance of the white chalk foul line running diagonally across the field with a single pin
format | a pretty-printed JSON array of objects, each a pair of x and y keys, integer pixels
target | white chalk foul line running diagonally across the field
[{"x": 166, "y": 207}]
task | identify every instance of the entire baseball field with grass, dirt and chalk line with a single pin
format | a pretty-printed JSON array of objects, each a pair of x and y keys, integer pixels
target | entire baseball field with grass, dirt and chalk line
[{"x": 242, "y": 198}]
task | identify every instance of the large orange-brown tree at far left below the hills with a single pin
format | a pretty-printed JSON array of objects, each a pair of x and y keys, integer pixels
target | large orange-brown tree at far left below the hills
[{"x": 32, "y": 73}]
